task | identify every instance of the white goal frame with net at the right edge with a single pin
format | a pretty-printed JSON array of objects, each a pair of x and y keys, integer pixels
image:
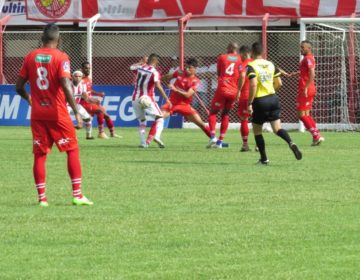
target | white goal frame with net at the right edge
[{"x": 337, "y": 54}]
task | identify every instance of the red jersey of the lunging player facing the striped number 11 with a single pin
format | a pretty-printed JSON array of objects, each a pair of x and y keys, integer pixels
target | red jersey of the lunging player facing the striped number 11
[{"x": 185, "y": 83}]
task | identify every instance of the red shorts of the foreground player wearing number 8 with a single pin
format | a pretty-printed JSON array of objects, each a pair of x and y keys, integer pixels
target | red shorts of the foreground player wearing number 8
[{"x": 45, "y": 133}]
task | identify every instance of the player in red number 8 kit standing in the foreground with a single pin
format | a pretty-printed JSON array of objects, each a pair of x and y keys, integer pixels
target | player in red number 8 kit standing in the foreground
[{"x": 48, "y": 71}]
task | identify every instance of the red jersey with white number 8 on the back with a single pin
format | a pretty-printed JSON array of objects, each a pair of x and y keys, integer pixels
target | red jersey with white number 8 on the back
[{"x": 43, "y": 68}]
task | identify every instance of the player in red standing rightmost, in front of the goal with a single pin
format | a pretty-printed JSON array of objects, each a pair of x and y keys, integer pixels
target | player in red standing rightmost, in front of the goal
[{"x": 307, "y": 91}]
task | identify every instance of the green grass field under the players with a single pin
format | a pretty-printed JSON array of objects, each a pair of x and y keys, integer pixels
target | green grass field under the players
[{"x": 184, "y": 212}]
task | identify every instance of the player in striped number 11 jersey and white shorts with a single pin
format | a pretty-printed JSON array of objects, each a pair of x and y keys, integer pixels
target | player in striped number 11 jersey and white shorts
[{"x": 143, "y": 100}]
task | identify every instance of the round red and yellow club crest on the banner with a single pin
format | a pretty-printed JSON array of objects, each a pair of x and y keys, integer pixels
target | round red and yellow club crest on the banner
[{"x": 53, "y": 8}]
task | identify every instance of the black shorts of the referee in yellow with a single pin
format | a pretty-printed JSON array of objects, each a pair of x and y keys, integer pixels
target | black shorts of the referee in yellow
[{"x": 266, "y": 109}]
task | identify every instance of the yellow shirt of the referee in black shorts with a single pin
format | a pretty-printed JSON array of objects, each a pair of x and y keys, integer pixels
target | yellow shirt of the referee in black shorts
[{"x": 265, "y": 72}]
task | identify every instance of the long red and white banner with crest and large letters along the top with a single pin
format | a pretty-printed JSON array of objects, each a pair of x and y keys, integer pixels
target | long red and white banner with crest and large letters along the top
[{"x": 170, "y": 10}]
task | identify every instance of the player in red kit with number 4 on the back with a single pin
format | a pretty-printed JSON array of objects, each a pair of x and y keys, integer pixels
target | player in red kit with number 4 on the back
[{"x": 228, "y": 66}]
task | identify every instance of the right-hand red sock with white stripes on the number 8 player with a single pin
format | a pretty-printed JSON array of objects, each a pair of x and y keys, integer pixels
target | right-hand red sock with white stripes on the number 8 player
[{"x": 74, "y": 169}]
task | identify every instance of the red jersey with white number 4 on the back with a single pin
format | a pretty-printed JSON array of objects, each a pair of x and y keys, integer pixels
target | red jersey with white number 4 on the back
[{"x": 228, "y": 69}]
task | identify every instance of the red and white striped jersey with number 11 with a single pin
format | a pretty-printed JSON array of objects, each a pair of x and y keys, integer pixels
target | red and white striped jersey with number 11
[{"x": 146, "y": 77}]
